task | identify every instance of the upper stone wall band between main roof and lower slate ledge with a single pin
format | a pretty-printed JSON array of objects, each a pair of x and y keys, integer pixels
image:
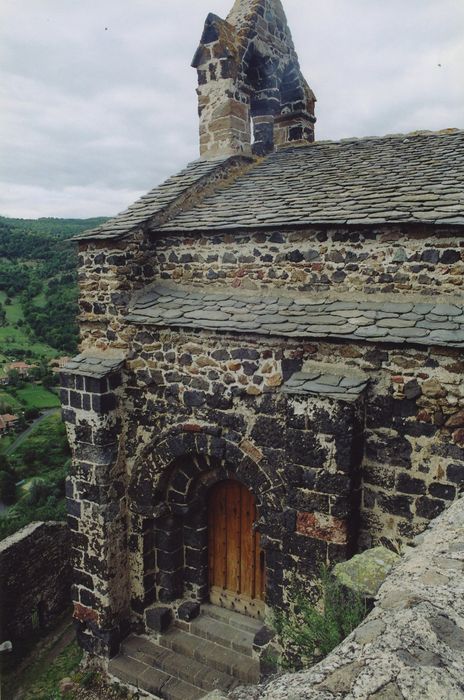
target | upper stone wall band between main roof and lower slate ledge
[{"x": 336, "y": 260}]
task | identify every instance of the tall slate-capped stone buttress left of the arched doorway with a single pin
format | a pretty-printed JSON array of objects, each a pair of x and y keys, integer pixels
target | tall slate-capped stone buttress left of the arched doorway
[{"x": 96, "y": 502}]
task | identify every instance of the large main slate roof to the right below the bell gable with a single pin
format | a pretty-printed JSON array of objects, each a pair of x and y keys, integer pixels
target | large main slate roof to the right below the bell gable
[{"x": 400, "y": 178}]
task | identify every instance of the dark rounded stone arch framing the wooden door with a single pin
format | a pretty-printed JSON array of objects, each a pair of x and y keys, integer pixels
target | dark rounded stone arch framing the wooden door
[{"x": 169, "y": 491}]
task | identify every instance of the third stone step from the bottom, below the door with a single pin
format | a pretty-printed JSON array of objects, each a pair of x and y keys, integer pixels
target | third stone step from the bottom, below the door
[{"x": 211, "y": 654}]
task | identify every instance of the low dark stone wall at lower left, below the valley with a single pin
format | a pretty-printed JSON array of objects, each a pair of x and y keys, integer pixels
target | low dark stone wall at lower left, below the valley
[{"x": 35, "y": 580}]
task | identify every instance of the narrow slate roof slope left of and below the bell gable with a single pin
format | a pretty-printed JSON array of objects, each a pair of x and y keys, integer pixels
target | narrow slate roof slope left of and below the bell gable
[{"x": 156, "y": 202}]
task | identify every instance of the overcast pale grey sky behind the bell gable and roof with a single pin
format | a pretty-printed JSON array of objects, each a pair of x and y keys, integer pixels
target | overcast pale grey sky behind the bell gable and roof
[{"x": 98, "y": 104}]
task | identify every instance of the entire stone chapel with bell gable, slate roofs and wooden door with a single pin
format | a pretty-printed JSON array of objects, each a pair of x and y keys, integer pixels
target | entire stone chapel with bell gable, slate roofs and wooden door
[{"x": 271, "y": 368}]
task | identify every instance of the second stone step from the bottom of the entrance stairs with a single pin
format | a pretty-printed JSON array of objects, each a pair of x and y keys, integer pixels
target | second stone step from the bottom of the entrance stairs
[{"x": 146, "y": 651}]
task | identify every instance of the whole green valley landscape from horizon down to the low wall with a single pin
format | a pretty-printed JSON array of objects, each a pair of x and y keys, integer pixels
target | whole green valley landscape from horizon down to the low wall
[{"x": 38, "y": 306}]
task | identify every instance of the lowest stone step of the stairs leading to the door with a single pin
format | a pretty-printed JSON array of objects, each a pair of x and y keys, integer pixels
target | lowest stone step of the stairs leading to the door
[{"x": 152, "y": 680}]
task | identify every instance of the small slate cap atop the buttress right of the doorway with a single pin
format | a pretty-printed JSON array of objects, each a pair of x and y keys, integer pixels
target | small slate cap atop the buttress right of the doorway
[{"x": 346, "y": 387}]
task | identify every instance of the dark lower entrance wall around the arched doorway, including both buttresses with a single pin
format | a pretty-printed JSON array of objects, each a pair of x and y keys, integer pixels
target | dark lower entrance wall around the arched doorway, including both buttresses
[{"x": 177, "y": 426}]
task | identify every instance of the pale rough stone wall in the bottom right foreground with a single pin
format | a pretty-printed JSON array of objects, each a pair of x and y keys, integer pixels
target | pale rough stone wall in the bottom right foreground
[{"x": 411, "y": 645}]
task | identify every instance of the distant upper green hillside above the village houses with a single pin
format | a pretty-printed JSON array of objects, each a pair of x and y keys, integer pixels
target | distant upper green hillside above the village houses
[{"x": 38, "y": 286}]
